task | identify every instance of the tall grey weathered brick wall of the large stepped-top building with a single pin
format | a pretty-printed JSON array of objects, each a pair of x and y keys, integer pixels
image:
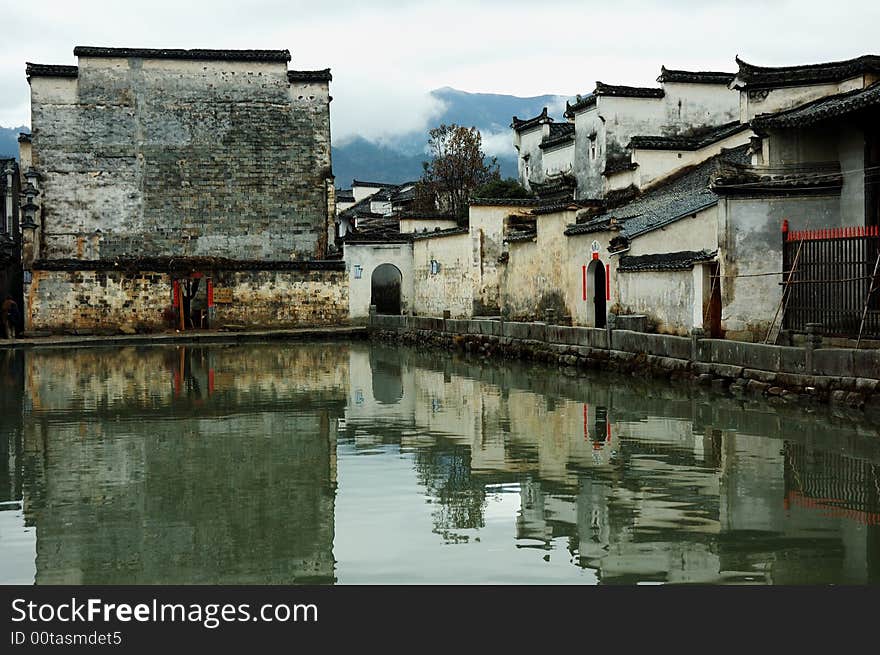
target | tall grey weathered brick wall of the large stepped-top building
[{"x": 170, "y": 157}]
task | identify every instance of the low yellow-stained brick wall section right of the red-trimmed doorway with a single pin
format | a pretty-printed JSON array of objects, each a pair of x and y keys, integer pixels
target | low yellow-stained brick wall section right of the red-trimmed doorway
[{"x": 283, "y": 298}]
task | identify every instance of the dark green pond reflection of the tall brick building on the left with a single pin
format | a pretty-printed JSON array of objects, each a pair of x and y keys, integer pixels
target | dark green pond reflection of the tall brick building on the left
[{"x": 225, "y": 477}]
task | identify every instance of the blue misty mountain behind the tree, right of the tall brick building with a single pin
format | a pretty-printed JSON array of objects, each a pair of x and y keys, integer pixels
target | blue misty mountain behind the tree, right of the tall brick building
[{"x": 401, "y": 158}]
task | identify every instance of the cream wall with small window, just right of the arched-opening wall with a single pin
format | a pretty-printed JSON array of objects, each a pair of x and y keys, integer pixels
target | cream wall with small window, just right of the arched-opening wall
[{"x": 452, "y": 287}]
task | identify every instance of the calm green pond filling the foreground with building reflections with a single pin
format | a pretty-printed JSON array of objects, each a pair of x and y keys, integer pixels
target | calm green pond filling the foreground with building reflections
[{"x": 357, "y": 463}]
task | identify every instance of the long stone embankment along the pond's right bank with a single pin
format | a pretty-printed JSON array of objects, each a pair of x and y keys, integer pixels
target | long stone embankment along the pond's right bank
[{"x": 839, "y": 376}]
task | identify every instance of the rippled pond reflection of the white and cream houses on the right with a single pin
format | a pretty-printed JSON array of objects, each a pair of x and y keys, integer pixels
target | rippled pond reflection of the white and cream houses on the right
[{"x": 638, "y": 482}]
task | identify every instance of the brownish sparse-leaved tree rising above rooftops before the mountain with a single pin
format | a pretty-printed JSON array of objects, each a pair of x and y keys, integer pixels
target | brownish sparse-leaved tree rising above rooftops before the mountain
[{"x": 458, "y": 166}]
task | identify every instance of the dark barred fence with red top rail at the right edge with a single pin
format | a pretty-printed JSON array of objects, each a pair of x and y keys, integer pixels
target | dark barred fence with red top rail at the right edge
[{"x": 831, "y": 273}]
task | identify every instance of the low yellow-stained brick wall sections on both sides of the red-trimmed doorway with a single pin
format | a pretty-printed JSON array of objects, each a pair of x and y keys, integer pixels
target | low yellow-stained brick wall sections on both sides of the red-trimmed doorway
[{"x": 113, "y": 301}]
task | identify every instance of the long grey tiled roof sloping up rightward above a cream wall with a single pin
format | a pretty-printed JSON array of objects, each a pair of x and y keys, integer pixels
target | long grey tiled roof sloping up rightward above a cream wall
[{"x": 680, "y": 195}]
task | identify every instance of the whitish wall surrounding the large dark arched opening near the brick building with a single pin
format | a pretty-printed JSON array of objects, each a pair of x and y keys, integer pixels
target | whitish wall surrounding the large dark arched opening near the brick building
[{"x": 368, "y": 257}]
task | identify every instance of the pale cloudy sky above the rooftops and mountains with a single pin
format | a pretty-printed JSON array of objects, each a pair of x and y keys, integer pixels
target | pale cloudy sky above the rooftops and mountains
[{"x": 386, "y": 56}]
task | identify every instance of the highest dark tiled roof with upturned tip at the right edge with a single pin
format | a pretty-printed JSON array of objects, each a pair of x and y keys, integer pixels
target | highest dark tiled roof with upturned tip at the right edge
[{"x": 753, "y": 77}]
